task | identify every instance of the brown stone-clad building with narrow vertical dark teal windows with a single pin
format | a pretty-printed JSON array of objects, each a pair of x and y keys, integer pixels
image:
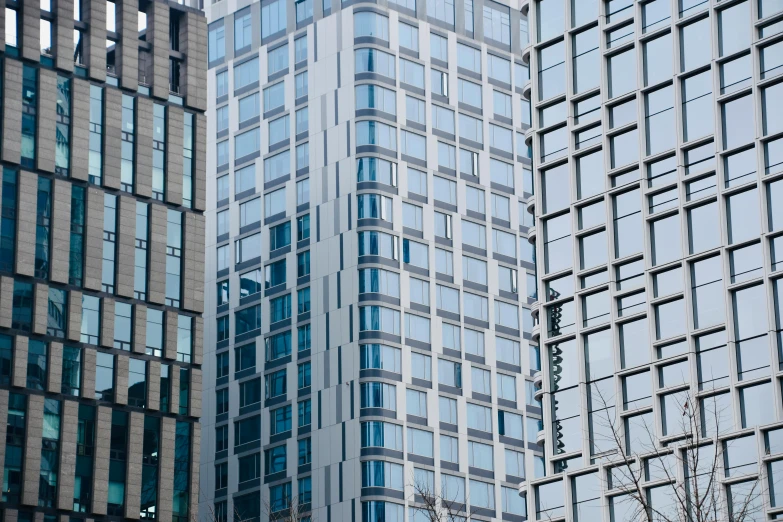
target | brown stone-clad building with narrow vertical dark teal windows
[{"x": 101, "y": 259}]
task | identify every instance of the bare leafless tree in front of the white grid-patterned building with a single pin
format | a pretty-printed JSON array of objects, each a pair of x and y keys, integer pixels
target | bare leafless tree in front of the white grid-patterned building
[{"x": 683, "y": 480}]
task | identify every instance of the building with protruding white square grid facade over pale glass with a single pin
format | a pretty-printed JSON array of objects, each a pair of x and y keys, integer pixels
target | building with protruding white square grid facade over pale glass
[{"x": 657, "y": 150}]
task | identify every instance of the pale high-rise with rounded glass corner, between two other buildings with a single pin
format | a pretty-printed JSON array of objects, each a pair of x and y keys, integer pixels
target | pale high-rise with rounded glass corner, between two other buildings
[{"x": 367, "y": 325}]
